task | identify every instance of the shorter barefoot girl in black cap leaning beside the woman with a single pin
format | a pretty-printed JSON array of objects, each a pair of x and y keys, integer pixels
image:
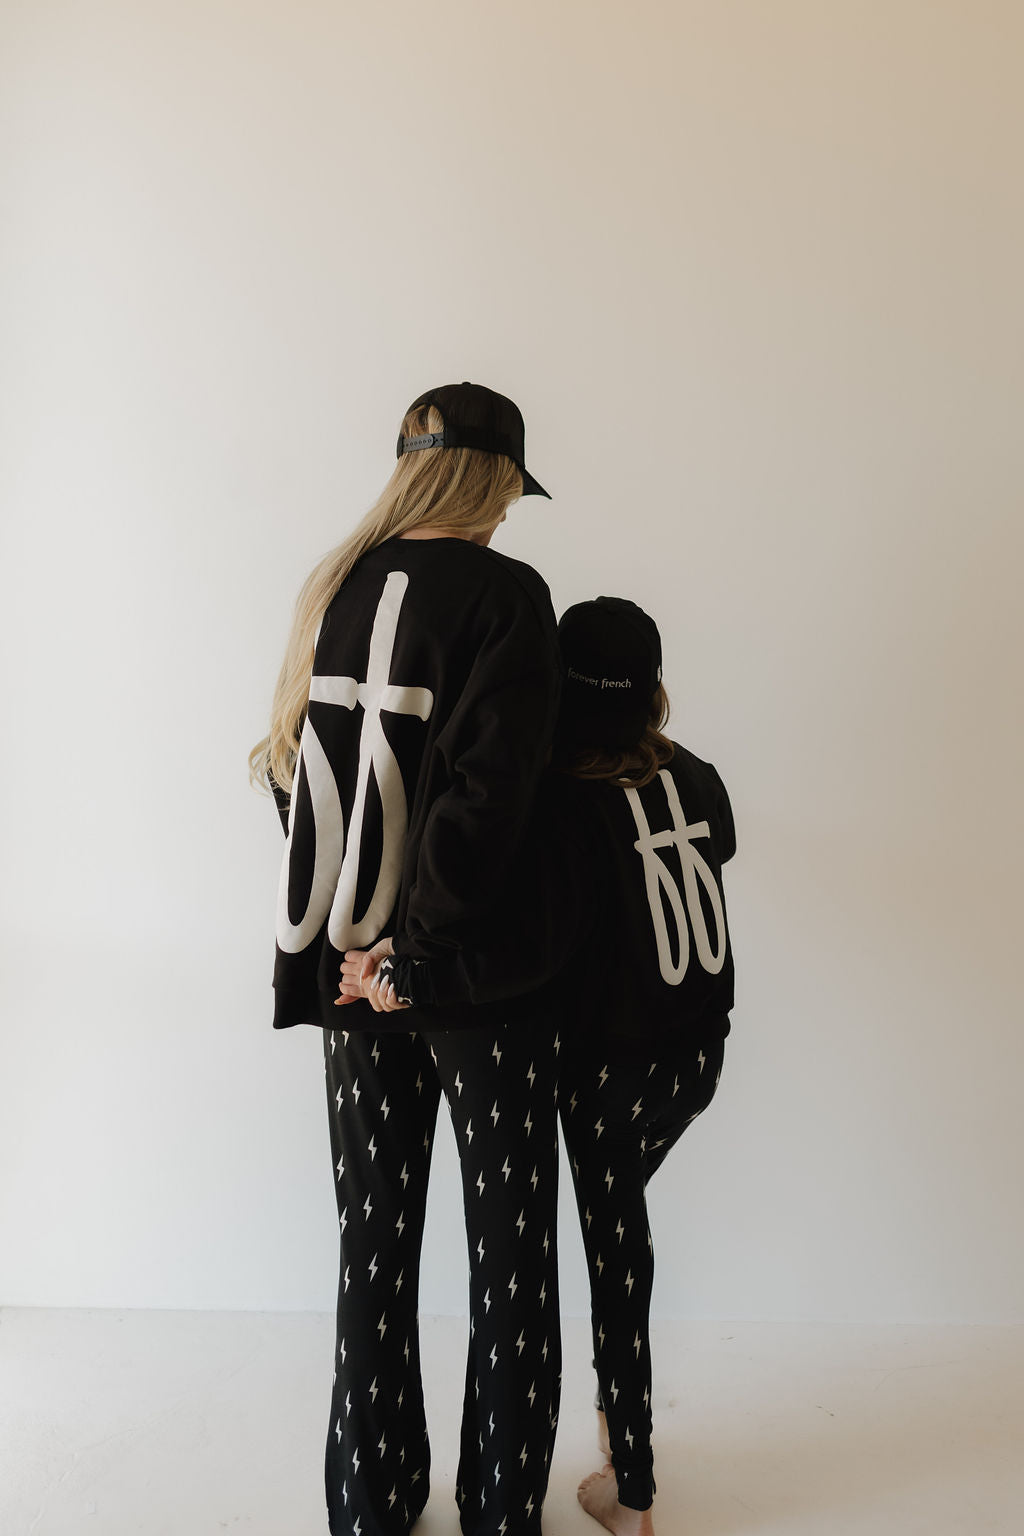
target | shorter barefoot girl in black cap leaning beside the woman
[{"x": 652, "y": 996}]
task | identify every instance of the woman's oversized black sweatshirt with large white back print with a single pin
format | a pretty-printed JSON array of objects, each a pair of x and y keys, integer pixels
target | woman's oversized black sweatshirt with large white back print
[{"x": 431, "y": 718}]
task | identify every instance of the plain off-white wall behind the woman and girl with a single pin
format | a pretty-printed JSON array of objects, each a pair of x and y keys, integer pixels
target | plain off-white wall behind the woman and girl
[{"x": 753, "y": 273}]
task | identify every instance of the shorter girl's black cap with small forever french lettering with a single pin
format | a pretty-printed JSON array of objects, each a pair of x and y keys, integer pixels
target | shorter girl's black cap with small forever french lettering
[{"x": 612, "y": 664}]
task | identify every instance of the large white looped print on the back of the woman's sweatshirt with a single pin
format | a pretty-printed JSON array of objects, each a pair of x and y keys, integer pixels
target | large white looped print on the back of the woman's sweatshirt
[{"x": 335, "y": 858}]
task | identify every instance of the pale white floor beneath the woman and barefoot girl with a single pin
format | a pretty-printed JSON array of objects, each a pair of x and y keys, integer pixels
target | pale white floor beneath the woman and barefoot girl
[{"x": 196, "y": 1425}]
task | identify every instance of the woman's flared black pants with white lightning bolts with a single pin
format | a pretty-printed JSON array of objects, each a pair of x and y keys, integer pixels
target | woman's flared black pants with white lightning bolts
[{"x": 383, "y": 1096}]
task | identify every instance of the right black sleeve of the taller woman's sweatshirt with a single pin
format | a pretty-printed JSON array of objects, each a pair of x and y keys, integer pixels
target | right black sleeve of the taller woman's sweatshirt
[{"x": 492, "y": 755}]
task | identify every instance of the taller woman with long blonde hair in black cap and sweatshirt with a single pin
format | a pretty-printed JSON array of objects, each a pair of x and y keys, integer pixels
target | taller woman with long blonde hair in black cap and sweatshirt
[{"x": 411, "y": 726}]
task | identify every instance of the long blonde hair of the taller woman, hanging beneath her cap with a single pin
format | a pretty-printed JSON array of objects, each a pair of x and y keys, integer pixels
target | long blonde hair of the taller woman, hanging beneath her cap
[{"x": 463, "y": 491}]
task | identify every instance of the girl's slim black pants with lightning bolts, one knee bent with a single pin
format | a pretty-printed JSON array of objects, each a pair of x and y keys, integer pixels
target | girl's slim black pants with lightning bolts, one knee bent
[{"x": 619, "y": 1122}]
